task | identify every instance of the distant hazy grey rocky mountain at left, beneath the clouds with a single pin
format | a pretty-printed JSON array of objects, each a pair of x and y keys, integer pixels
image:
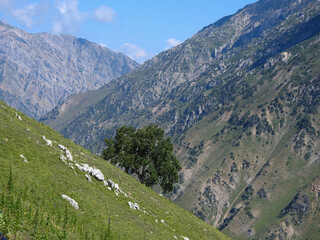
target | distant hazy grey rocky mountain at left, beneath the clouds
[{"x": 38, "y": 71}]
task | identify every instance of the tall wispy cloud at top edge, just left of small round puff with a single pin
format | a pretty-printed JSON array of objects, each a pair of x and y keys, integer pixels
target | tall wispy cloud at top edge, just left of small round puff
[{"x": 67, "y": 17}]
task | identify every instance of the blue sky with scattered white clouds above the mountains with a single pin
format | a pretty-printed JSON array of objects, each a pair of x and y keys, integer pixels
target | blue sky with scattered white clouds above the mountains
[{"x": 141, "y": 28}]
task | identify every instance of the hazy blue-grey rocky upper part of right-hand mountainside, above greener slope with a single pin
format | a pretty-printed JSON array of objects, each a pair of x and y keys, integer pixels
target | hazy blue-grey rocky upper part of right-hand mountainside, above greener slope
[{"x": 173, "y": 88}]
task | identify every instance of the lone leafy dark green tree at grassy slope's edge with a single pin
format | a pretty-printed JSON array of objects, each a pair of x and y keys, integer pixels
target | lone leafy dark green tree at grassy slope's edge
[{"x": 144, "y": 153}]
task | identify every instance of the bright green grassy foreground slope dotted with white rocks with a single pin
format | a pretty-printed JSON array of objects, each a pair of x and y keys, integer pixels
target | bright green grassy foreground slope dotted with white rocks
[{"x": 31, "y": 205}]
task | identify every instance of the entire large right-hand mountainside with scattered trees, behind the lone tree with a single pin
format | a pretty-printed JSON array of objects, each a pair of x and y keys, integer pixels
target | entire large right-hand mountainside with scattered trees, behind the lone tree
[{"x": 240, "y": 100}]
